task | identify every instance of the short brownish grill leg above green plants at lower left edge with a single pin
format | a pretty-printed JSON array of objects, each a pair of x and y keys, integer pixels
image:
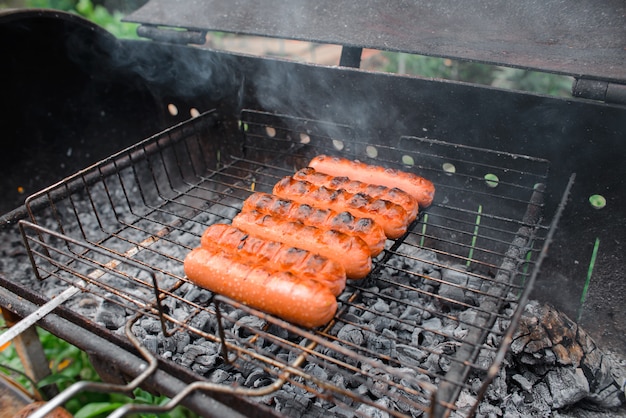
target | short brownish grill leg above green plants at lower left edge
[{"x": 30, "y": 352}]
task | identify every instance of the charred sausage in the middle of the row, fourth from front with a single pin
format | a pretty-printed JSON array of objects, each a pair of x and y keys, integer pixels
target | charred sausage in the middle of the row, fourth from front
[{"x": 323, "y": 218}]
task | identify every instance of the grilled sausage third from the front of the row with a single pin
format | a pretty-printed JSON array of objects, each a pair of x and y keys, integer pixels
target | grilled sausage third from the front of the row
[{"x": 349, "y": 251}]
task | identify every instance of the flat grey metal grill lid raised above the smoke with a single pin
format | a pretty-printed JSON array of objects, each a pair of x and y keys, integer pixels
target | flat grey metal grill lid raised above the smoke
[{"x": 579, "y": 38}]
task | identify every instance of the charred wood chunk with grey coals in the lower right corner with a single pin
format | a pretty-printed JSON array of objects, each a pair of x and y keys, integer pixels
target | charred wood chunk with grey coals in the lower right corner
[{"x": 553, "y": 369}]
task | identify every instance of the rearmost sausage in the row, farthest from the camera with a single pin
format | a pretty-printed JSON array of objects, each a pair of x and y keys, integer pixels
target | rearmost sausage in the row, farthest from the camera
[{"x": 421, "y": 189}]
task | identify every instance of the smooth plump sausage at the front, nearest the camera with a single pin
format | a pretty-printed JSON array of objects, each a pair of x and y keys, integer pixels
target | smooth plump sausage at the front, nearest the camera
[{"x": 299, "y": 300}]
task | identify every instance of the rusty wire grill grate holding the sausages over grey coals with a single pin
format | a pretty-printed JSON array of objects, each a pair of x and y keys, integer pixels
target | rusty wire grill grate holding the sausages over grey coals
[{"x": 412, "y": 335}]
